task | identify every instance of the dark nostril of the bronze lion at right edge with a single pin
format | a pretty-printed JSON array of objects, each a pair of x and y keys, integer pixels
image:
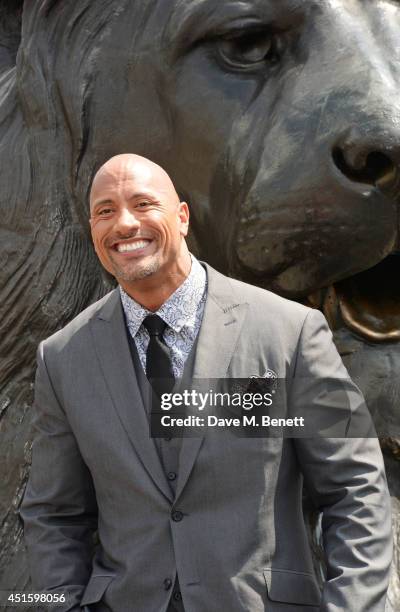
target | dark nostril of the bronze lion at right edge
[{"x": 367, "y": 161}]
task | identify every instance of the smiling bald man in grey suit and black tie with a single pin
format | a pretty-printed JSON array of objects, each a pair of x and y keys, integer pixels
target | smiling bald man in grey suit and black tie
[{"x": 117, "y": 520}]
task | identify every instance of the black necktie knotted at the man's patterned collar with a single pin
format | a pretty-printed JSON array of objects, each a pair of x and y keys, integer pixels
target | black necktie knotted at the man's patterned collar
[{"x": 158, "y": 356}]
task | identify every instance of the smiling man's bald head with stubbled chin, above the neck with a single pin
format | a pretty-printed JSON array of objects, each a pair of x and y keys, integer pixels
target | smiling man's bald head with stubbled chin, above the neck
[{"x": 137, "y": 222}]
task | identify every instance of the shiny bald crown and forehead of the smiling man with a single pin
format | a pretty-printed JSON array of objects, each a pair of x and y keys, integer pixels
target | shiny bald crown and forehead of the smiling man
[{"x": 120, "y": 169}]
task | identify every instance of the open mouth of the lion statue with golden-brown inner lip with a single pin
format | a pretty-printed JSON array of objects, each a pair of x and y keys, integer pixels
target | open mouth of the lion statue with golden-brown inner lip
[{"x": 367, "y": 303}]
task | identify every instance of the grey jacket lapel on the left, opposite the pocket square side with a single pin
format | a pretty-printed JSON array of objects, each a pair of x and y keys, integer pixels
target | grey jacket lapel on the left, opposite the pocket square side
[{"x": 112, "y": 348}]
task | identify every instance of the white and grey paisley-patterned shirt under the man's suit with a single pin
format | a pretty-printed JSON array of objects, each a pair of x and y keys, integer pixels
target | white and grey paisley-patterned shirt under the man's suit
[{"x": 182, "y": 312}]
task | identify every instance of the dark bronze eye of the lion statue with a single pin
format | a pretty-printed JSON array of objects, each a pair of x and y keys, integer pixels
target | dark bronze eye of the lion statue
[{"x": 248, "y": 51}]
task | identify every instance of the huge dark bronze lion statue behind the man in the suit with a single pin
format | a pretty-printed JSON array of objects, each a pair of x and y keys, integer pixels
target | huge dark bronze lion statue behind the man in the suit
[{"x": 279, "y": 122}]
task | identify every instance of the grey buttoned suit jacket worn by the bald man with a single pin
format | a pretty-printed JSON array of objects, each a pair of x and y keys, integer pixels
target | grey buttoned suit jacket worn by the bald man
[{"x": 241, "y": 544}]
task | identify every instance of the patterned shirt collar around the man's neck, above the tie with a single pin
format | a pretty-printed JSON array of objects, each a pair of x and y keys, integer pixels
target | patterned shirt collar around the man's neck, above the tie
[{"x": 178, "y": 310}]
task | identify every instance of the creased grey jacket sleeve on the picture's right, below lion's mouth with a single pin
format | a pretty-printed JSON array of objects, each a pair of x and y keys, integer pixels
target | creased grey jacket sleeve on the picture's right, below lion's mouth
[{"x": 345, "y": 478}]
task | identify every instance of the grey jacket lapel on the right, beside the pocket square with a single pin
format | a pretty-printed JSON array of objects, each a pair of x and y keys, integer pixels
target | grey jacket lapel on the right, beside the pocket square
[{"x": 219, "y": 332}]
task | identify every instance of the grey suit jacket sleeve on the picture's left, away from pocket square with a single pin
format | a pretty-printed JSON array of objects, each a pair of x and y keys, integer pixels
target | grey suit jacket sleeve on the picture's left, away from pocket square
[{"x": 59, "y": 508}]
